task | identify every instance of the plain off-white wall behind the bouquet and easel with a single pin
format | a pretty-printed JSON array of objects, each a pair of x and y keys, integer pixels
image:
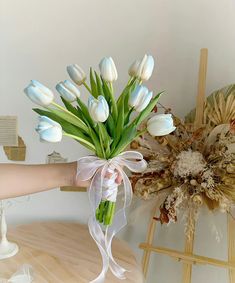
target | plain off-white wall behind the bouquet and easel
[{"x": 40, "y": 38}]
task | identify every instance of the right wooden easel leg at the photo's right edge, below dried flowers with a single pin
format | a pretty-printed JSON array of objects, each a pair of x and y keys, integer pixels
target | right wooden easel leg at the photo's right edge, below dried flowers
[{"x": 231, "y": 247}]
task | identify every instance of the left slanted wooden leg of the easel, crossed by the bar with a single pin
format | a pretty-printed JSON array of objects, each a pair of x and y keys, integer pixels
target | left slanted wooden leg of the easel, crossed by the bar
[{"x": 149, "y": 241}]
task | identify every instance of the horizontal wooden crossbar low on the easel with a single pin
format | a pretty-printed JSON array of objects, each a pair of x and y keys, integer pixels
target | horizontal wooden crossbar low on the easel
[{"x": 190, "y": 258}]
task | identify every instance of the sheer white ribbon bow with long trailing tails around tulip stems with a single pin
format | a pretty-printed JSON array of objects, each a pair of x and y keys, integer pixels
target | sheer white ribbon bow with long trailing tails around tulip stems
[{"x": 94, "y": 168}]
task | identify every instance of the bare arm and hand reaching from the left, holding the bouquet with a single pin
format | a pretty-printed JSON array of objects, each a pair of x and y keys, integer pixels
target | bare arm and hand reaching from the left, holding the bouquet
[{"x": 18, "y": 180}]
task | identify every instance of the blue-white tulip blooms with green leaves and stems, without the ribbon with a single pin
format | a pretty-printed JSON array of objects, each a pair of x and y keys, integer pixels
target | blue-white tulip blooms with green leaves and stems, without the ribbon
[{"x": 104, "y": 125}]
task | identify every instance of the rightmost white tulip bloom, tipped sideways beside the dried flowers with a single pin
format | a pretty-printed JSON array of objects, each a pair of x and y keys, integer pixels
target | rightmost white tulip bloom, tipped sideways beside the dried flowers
[{"x": 160, "y": 125}]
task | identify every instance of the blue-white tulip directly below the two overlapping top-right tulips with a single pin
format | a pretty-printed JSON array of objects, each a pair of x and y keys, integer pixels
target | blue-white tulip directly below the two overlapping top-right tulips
[{"x": 140, "y": 98}]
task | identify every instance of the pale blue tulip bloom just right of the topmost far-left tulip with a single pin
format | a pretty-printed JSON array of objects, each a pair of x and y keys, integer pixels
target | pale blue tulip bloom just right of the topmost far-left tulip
[{"x": 68, "y": 90}]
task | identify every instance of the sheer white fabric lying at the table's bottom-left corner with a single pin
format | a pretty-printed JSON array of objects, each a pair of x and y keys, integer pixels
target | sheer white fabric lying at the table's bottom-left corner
[{"x": 23, "y": 275}]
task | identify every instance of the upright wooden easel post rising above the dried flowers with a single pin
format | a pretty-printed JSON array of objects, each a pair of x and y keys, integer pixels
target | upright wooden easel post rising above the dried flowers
[{"x": 201, "y": 89}]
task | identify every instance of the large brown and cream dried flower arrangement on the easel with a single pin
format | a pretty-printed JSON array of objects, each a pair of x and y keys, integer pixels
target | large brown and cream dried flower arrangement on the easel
[{"x": 192, "y": 167}]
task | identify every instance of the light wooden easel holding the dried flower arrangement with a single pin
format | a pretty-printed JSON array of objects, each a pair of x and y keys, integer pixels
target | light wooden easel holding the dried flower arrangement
[{"x": 188, "y": 257}]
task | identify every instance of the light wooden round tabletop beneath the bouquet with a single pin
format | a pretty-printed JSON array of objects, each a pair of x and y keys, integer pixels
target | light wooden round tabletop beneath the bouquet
[{"x": 64, "y": 253}]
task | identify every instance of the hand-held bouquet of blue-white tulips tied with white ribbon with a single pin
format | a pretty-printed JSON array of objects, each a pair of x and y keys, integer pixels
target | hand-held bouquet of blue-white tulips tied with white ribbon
[{"x": 105, "y": 126}]
